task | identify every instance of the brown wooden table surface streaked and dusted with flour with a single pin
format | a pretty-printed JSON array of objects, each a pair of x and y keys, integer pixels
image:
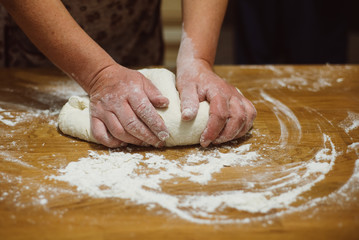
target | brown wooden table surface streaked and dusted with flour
[{"x": 306, "y": 115}]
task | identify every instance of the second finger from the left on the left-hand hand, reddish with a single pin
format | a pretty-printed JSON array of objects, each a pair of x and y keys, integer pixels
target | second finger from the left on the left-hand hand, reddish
[{"x": 116, "y": 130}]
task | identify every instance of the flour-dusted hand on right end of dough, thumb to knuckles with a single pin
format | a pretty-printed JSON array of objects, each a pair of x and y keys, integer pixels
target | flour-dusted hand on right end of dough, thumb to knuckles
[{"x": 231, "y": 115}]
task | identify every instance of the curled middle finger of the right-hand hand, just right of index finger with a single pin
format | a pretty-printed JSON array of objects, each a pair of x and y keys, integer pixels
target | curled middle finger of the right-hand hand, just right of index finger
[{"x": 236, "y": 122}]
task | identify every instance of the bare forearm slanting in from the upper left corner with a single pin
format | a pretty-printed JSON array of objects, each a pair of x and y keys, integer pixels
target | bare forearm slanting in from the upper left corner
[{"x": 52, "y": 29}]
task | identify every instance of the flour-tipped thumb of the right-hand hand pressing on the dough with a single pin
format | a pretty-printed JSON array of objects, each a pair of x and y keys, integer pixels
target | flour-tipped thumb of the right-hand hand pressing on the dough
[{"x": 189, "y": 102}]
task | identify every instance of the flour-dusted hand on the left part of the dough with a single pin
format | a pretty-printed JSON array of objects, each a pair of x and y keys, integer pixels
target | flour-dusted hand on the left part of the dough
[{"x": 122, "y": 109}]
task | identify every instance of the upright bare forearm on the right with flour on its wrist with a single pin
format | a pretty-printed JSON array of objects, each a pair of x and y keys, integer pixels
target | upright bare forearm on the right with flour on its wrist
[{"x": 202, "y": 21}]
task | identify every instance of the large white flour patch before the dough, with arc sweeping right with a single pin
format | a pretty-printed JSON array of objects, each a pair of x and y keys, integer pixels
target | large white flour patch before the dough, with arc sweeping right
[{"x": 141, "y": 179}]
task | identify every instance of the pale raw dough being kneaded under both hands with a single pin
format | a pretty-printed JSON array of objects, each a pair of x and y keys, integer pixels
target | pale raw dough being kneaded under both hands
[{"x": 74, "y": 118}]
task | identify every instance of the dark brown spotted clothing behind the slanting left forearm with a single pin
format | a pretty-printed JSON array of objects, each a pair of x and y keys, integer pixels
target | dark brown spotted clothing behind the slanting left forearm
[{"x": 129, "y": 30}]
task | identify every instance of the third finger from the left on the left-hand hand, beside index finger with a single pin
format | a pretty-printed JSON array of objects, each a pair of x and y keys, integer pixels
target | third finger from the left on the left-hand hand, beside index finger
[{"x": 134, "y": 126}]
